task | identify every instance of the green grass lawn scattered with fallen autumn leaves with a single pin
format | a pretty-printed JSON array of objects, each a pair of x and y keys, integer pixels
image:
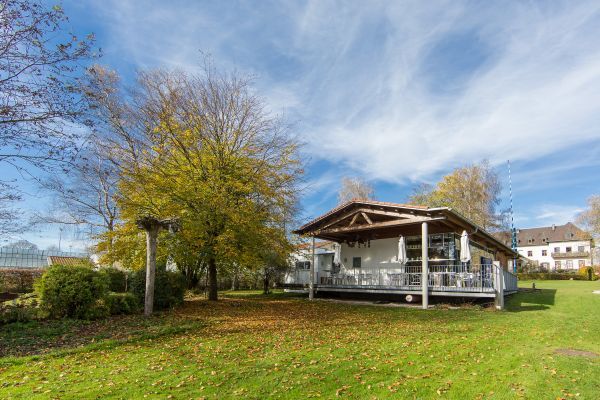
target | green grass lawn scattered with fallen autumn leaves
[{"x": 252, "y": 346}]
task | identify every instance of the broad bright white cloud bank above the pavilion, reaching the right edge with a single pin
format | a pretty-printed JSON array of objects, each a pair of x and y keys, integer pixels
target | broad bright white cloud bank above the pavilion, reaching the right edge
[{"x": 539, "y": 94}]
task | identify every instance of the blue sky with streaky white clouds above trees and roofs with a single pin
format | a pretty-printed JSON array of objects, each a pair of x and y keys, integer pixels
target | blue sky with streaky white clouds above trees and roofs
[{"x": 394, "y": 92}]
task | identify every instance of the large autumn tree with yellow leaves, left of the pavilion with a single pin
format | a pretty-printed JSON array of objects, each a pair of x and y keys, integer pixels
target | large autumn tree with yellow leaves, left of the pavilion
[{"x": 201, "y": 150}]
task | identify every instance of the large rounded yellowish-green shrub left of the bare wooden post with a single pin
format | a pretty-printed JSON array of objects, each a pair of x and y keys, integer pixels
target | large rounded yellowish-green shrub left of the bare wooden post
[{"x": 74, "y": 292}]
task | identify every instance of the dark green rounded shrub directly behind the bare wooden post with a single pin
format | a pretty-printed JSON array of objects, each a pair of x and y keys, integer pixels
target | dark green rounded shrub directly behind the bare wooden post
[{"x": 169, "y": 287}]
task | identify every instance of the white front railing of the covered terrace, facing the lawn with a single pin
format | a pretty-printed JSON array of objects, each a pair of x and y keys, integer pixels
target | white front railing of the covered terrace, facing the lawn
[{"x": 457, "y": 278}]
